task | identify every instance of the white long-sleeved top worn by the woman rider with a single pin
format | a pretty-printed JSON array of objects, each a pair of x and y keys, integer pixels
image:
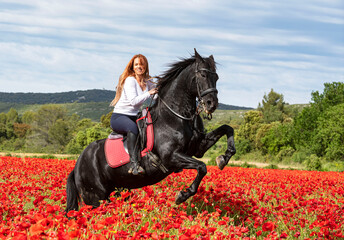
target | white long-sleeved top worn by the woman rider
[{"x": 132, "y": 97}]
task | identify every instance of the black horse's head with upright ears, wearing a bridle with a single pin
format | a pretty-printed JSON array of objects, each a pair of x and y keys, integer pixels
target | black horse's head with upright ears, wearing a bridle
[{"x": 206, "y": 77}]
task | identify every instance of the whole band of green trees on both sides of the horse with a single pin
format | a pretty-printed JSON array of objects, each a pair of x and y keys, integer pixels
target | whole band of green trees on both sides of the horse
[{"x": 313, "y": 136}]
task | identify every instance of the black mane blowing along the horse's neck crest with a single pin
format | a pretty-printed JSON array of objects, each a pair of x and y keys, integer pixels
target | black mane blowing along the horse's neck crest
[{"x": 174, "y": 70}]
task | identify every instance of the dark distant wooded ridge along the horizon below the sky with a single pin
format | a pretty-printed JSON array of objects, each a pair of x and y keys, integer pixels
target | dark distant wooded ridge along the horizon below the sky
[{"x": 86, "y": 96}]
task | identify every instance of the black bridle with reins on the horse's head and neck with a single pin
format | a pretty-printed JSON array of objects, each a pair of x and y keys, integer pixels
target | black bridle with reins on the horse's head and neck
[{"x": 201, "y": 105}]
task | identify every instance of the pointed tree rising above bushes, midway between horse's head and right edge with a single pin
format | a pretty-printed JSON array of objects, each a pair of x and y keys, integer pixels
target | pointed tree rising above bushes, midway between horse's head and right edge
[{"x": 272, "y": 107}]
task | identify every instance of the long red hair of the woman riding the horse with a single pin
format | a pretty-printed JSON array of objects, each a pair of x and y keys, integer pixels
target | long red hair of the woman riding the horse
[{"x": 129, "y": 71}]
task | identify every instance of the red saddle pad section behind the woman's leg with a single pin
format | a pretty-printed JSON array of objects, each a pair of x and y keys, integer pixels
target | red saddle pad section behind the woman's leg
[{"x": 115, "y": 153}]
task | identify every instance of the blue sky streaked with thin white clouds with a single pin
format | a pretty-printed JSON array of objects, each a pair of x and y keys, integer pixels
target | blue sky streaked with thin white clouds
[{"x": 292, "y": 47}]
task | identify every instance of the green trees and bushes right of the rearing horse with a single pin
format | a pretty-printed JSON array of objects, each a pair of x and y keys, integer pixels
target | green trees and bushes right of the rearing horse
[{"x": 313, "y": 136}]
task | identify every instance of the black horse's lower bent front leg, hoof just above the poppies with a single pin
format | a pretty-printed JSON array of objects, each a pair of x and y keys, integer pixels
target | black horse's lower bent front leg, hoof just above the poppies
[{"x": 184, "y": 162}]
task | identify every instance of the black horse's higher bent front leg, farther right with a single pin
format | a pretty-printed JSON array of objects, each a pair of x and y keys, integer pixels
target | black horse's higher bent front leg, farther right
[{"x": 211, "y": 138}]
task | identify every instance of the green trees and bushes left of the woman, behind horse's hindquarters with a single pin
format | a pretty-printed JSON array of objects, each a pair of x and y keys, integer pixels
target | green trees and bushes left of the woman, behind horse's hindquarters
[{"x": 48, "y": 130}]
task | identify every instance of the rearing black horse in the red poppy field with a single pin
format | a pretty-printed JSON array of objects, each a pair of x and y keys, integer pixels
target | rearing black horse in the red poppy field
[{"x": 179, "y": 135}]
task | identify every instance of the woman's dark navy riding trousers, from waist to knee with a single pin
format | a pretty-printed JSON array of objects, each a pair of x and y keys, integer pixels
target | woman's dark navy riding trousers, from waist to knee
[{"x": 122, "y": 124}]
